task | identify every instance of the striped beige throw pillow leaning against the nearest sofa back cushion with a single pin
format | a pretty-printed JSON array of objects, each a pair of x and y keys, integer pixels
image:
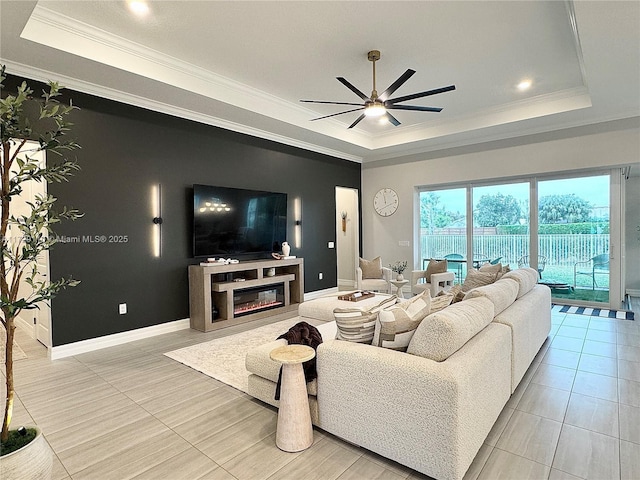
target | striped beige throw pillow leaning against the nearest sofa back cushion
[{"x": 396, "y": 325}]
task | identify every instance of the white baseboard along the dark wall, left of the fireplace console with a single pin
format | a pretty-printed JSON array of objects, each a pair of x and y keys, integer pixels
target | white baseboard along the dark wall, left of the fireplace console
[{"x": 92, "y": 344}]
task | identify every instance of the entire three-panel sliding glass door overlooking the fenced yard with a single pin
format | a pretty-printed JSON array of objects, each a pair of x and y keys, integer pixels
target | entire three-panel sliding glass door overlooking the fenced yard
[{"x": 558, "y": 226}]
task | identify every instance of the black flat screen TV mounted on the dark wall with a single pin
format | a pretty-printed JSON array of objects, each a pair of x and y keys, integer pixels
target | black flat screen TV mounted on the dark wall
[{"x": 238, "y": 223}]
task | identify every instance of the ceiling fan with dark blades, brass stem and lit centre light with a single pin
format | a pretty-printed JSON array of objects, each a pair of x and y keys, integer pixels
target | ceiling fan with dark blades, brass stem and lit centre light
[{"x": 379, "y": 105}]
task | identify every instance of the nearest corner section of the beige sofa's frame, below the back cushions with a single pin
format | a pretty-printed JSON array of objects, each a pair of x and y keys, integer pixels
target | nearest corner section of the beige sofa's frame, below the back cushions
[{"x": 431, "y": 416}]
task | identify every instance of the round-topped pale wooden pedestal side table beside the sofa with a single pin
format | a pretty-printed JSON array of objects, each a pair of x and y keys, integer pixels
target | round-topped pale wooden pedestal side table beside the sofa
[{"x": 295, "y": 432}]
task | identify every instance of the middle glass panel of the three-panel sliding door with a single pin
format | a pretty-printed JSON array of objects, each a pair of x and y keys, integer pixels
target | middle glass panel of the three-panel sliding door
[{"x": 501, "y": 224}]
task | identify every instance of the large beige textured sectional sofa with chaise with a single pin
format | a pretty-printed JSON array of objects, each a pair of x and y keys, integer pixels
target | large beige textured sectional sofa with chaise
[{"x": 432, "y": 407}]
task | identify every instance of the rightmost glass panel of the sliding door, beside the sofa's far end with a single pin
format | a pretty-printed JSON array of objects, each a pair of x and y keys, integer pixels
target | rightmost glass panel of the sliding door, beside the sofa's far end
[{"x": 573, "y": 237}]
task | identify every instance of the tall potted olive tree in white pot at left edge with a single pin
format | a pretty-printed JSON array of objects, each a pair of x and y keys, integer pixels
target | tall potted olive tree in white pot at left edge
[{"x": 28, "y": 125}]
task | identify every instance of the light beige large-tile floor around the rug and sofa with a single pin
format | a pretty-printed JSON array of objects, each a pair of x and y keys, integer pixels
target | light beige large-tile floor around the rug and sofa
[{"x": 130, "y": 412}]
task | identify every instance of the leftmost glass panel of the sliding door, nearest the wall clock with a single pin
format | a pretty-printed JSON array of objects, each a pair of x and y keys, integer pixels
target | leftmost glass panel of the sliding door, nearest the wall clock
[{"x": 443, "y": 228}]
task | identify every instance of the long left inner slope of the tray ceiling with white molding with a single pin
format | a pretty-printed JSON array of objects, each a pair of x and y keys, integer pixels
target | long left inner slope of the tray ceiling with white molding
[{"x": 55, "y": 30}]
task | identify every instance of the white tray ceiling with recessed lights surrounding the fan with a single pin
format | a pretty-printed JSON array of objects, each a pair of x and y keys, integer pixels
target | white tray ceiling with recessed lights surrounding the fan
[{"x": 245, "y": 65}]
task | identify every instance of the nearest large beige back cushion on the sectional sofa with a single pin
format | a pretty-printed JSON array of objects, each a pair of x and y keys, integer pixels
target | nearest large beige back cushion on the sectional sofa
[{"x": 444, "y": 332}]
